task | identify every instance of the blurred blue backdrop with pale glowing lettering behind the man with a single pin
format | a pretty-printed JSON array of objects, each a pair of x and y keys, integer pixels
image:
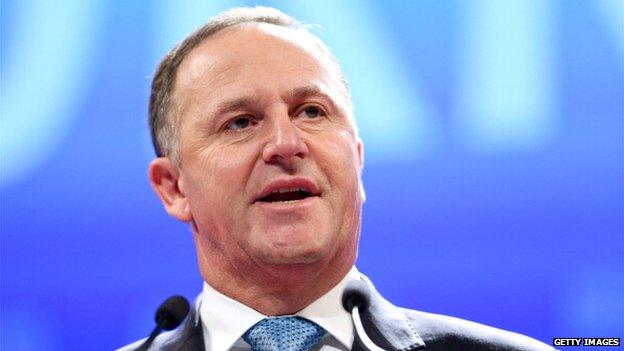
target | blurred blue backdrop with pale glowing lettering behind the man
[{"x": 494, "y": 162}]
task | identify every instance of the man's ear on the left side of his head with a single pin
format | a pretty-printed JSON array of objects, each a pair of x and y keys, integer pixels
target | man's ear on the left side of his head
[{"x": 164, "y": 176}]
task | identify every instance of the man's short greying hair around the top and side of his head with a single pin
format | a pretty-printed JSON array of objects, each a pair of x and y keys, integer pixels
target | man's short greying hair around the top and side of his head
[{"x": 163, "y": 120}]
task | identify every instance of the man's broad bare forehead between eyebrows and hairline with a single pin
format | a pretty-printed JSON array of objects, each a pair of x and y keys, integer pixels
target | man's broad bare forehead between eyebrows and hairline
[{"x": 254, "y": 56}]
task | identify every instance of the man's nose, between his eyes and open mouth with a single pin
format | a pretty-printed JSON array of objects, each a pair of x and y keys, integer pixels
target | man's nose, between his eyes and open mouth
[{"x": 284, "y": 143}]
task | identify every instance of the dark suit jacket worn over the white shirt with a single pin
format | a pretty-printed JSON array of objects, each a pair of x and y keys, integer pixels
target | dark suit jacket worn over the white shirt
[{"x": 390, "y": 327}]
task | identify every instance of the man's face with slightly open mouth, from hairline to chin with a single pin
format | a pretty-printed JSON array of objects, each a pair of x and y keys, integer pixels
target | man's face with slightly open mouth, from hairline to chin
[{"x": 269, "y": 160}]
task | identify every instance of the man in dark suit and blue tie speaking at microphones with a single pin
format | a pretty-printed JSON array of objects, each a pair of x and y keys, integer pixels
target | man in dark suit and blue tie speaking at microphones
[{"x": 259, "y": 153}]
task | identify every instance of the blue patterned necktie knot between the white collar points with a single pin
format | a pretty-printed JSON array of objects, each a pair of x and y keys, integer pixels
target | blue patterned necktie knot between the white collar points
[{"x": 283, "y": 334}]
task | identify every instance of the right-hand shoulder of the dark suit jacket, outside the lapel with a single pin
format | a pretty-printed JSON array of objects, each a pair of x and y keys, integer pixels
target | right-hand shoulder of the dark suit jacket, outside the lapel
[{"x": 441, "y": 332}]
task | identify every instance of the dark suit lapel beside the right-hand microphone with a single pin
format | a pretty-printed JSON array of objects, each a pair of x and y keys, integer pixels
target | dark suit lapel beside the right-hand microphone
[{"x": 387, "y": 326}]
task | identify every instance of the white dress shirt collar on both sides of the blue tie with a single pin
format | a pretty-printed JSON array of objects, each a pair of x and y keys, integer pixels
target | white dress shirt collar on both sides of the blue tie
[{"x": 225, "y": 320}]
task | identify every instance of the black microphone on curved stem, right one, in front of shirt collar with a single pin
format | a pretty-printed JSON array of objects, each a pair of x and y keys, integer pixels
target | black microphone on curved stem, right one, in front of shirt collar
[{"x": 356, "y": 299}]
